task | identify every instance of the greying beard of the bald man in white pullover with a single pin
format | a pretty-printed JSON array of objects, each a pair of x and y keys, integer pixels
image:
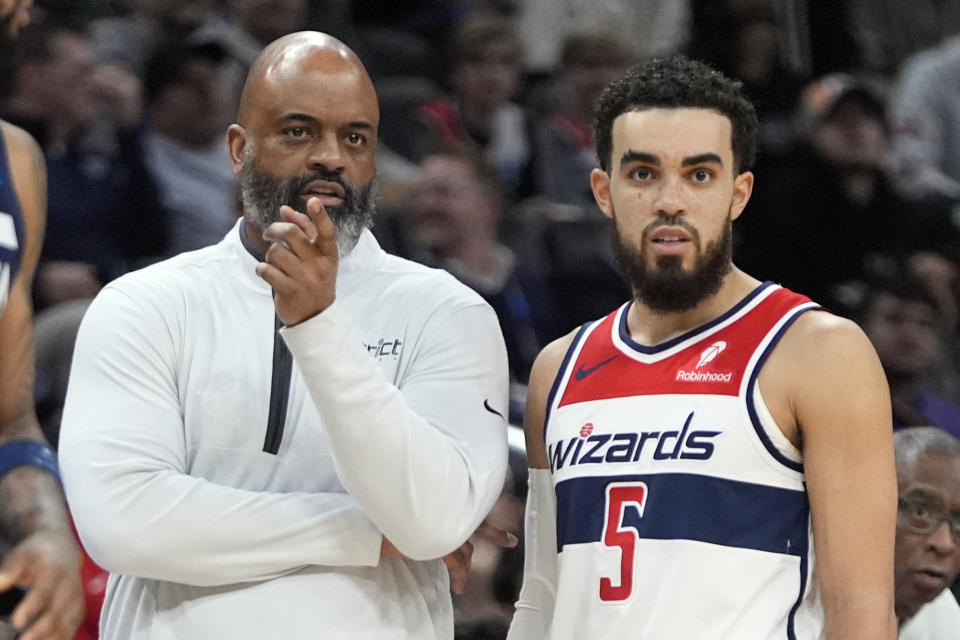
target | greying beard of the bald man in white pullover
[{"x": 263, "y": 194}]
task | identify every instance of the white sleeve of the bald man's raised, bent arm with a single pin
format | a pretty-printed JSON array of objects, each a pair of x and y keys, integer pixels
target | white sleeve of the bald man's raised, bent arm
[{"x": 425, "y": 459}]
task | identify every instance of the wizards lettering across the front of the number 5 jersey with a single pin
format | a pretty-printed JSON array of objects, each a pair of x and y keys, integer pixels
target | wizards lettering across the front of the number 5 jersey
[{"x": 629, "y": 446}]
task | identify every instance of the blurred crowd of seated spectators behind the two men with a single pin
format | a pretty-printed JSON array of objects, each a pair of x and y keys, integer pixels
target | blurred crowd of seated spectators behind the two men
[{"x": 484, "y": 160}]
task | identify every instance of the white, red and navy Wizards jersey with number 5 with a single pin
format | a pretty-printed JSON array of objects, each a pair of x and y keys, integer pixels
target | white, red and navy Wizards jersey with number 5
[{"x": 681, "y": 507}]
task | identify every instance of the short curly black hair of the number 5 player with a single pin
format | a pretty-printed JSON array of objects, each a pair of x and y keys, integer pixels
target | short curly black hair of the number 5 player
[{"x": 671, "y": 83}]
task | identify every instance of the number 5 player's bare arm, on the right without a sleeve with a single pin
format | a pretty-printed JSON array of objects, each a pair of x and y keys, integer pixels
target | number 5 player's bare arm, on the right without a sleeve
[{"x": 841, "y": 402}]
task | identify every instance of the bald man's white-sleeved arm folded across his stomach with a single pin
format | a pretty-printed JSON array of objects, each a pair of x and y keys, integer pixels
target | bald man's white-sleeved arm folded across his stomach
[{"x": 123, "y": 453}]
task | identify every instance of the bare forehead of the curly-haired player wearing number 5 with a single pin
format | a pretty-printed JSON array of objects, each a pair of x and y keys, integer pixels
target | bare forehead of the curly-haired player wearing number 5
[{"x": 681, "y": 131}]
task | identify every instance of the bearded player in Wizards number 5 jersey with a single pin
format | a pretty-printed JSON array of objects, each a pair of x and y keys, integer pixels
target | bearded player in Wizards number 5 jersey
[{"x": 693, "y": 449}]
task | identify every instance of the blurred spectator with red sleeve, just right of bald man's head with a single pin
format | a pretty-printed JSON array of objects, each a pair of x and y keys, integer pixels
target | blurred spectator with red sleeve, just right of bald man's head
[{"x": 484, "y": 58}]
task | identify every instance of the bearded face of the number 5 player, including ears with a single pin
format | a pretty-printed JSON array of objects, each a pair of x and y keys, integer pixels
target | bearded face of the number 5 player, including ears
[{"x": 672, "y": 193}]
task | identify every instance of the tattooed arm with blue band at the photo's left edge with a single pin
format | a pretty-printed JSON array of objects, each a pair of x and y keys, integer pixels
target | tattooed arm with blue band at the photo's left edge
[{"x": 33, "y": 517}]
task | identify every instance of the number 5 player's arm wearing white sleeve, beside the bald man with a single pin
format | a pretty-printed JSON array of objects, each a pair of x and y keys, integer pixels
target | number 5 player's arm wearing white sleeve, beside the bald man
[{"x": 534, "y": 609}]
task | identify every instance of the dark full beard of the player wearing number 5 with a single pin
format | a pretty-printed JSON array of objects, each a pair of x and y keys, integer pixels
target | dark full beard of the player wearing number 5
[{"x": 667, "y": 287}]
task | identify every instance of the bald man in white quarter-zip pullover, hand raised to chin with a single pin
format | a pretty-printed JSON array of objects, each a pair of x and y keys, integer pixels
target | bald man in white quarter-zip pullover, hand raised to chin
[{"x": 287, "y": 434}]
